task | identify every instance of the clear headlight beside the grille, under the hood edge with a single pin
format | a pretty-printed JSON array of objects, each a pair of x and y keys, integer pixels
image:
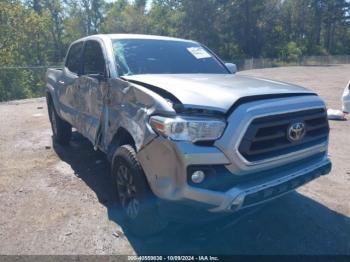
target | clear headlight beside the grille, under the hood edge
[{"x": 188, "y": 129}]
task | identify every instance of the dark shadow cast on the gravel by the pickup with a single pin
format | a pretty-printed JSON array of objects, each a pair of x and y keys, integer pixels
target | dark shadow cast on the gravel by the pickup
[{"x": 294, "y": 224}]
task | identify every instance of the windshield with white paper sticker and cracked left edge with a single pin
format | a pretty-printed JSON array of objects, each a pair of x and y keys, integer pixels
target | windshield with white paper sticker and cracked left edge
[{"x": 148, "y": 56}]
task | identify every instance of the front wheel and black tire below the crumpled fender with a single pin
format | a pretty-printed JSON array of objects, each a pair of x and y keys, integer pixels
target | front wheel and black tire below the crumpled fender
[{"x": 138, "y": 204}]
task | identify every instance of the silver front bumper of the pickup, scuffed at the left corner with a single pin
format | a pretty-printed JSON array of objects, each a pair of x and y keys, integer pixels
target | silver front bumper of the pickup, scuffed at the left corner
[{"x": 166, "y": 165}]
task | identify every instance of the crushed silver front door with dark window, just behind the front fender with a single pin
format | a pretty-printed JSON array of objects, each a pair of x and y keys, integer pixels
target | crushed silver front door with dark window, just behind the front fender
[{"x": 92, "y": 87}]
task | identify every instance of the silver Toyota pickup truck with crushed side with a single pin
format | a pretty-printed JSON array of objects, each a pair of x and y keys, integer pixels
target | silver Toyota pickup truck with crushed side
[{"x": 181, "y": 128}]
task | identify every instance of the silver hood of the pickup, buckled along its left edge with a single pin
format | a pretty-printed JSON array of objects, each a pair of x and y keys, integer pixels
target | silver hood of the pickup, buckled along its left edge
[{"x": 215, "y": 91}]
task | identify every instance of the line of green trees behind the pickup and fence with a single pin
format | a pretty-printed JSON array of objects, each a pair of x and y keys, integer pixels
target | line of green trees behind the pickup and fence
[{"x": 38, "y": 32}]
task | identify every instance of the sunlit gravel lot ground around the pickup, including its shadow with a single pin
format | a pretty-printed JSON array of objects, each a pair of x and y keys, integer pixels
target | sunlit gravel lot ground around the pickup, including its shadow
[{"x": 56, "y": 200}]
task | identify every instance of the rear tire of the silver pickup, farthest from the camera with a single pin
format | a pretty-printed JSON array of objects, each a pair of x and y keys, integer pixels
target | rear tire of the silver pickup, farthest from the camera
[{"x": 61, "y": 130}]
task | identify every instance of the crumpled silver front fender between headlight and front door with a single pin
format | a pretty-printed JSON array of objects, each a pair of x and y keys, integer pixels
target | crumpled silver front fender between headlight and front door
[{"x": 129, "y": 106}]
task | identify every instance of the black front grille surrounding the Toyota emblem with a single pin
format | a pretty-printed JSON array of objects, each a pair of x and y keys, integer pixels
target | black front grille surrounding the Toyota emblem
[{"x": 266, "y": 137}]
